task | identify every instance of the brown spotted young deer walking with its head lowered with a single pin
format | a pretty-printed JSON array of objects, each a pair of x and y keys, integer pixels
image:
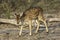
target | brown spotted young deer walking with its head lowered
[{"x": 34, "y": 13}]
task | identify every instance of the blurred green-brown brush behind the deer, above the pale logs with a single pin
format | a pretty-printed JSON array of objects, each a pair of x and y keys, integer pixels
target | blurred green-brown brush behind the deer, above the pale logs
[{"x": 9, "y": 7}]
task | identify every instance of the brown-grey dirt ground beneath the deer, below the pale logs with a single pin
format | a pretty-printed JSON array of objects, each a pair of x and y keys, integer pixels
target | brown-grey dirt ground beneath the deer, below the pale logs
[{"x": 54, "y": 33}]
